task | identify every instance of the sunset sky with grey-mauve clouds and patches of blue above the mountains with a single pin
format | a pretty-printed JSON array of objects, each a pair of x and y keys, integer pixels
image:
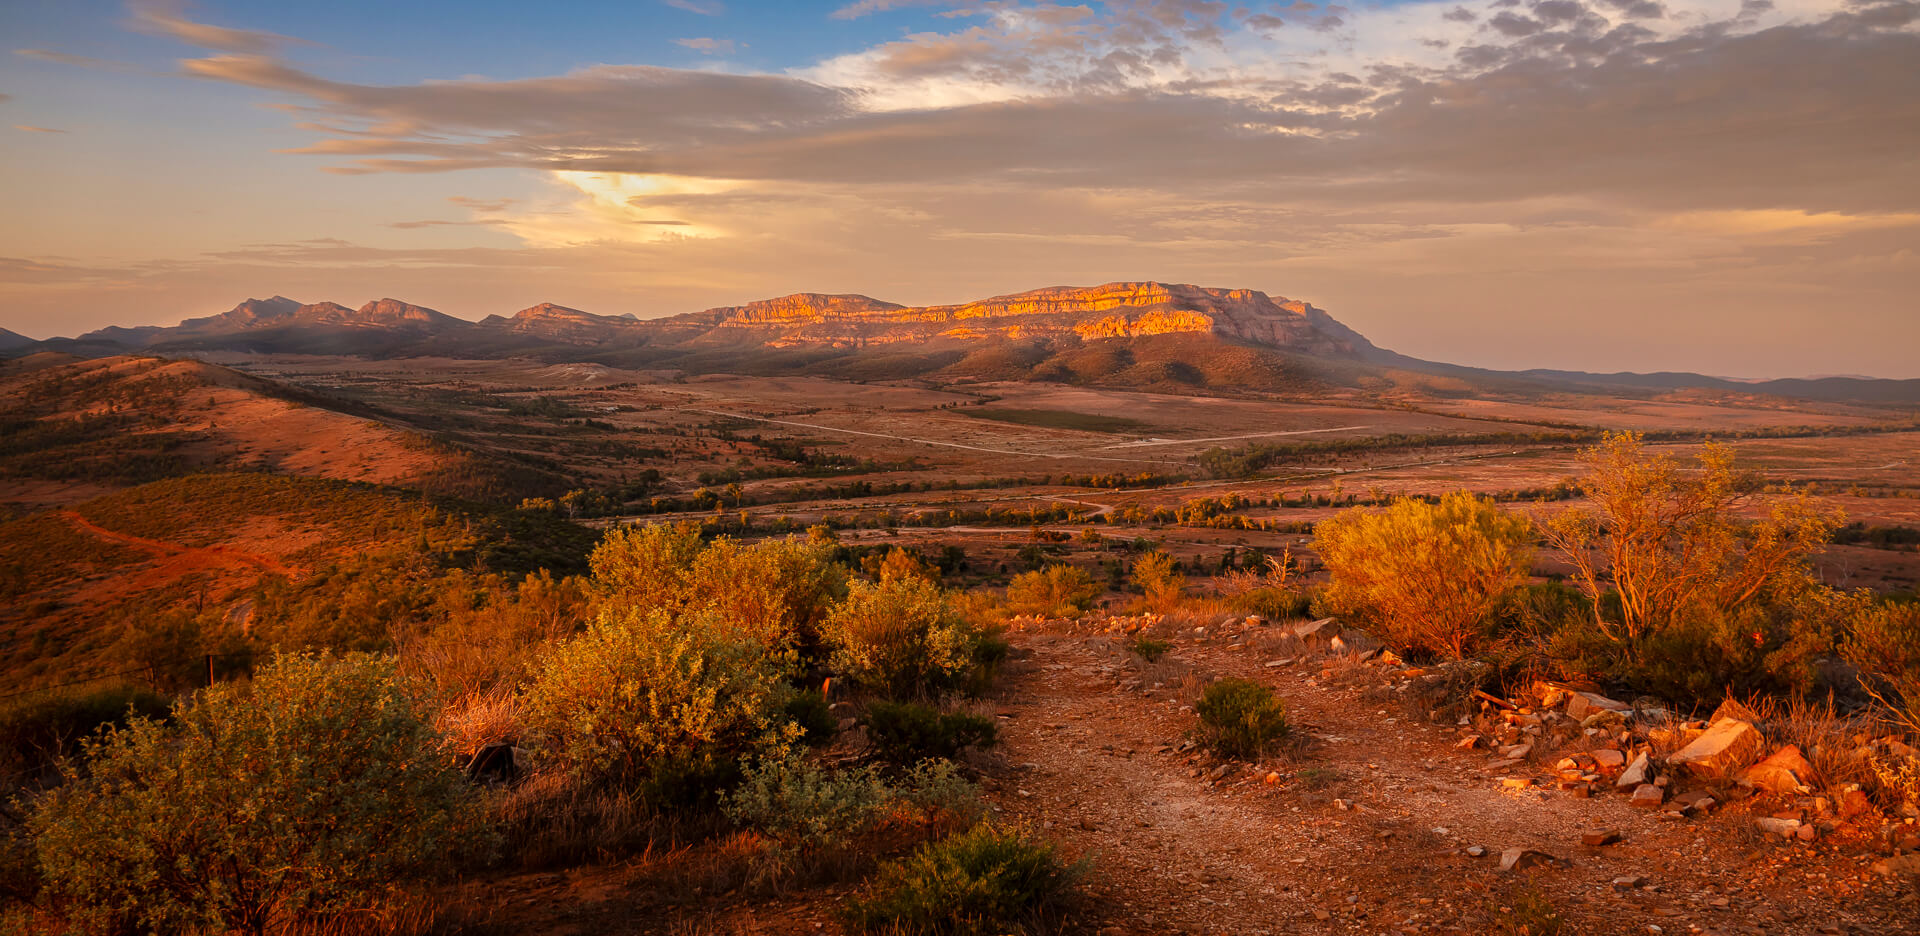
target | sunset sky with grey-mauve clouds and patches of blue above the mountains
[{"x": 1729, "y": 187}]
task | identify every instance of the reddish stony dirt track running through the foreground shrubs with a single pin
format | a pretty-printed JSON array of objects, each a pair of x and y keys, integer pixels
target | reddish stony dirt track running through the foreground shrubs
[{"x": 1095, "y": 766}]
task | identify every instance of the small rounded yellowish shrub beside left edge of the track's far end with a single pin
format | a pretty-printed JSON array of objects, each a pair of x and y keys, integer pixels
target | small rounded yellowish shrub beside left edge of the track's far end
[{"x": 900, "y": 638}]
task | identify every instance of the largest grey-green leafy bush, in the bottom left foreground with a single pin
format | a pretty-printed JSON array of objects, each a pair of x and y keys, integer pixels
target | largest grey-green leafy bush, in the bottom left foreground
[{"x": 300, "y": 797}]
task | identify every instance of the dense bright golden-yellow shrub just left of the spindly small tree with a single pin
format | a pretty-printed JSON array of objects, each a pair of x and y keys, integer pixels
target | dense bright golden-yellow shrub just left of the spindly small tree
[{"x": 1426, "y": 576}]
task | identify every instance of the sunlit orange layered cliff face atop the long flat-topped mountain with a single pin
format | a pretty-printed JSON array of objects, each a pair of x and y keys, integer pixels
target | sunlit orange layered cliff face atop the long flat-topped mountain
[{"x": 1118, "y": 310}]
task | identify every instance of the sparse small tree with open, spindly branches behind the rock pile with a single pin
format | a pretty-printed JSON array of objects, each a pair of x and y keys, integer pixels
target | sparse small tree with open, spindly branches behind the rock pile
[{"x": 1669, "y": 546}]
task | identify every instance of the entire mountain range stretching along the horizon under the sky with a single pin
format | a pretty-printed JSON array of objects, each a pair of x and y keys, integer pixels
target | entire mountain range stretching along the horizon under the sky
[{"x": 1140, "y": 335}]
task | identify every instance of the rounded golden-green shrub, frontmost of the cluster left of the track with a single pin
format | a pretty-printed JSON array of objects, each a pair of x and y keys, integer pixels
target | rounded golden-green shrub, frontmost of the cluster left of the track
[{"x": 656, "y": 703}]
